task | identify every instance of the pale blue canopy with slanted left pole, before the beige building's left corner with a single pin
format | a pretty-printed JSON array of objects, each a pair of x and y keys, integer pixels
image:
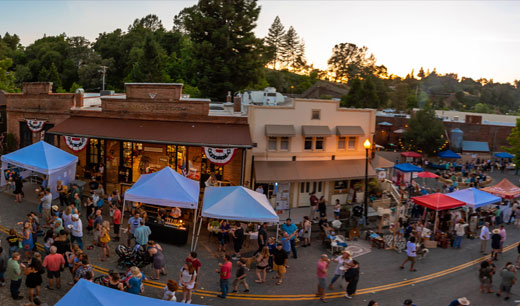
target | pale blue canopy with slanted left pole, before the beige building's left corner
[{"x": 236, "y": 203}]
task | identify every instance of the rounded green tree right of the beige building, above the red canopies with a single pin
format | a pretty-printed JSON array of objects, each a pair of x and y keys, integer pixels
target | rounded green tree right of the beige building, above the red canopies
[{"x": 425, "y": 132}]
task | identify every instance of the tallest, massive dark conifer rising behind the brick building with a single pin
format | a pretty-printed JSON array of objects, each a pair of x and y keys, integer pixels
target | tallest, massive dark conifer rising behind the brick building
[{"x": 226, "y": 53}]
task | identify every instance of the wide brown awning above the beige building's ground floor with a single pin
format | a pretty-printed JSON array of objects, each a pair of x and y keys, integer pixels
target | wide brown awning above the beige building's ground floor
[{"x": 294, "y": 171}]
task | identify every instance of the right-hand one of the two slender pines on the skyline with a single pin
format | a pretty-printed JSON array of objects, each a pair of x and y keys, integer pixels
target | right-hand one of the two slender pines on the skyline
[{"x": 293, "y": 51}]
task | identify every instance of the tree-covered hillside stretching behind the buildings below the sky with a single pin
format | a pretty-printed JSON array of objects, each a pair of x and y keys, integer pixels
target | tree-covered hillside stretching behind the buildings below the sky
[{"x": 212, "y": 49}]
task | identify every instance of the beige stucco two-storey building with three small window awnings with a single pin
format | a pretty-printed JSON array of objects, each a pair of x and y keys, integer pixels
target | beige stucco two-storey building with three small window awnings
[{"x": 306, "y": 146}]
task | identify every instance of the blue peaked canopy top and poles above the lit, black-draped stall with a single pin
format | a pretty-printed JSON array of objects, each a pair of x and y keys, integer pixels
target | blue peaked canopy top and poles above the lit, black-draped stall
[{"x": 166, "y": 188}]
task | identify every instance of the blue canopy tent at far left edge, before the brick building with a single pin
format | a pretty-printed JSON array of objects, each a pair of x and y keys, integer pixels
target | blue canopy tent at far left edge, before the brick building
[{"x": 45, "y": 159}]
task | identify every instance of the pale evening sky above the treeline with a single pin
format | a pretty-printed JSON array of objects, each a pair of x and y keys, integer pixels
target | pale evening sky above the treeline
[{"x": 471, "y": 38}]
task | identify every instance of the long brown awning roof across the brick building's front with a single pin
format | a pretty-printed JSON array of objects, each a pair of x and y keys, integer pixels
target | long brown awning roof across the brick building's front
[{"x": 155, "y": 131}]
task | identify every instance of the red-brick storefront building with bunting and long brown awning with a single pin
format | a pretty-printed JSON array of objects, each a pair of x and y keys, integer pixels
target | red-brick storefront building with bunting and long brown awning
[{"x": 144, "y": 130}]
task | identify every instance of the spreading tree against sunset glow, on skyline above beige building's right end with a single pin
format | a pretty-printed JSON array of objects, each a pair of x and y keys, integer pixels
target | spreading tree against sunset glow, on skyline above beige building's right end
[{"x": 348, "y": 61}]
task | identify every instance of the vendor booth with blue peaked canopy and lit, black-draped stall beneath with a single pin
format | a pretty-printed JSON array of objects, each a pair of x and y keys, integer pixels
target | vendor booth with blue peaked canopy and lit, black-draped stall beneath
[{"x": 168, "y": 199}]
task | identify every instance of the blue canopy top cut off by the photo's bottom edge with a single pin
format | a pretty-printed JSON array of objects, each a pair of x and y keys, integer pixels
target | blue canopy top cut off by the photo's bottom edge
[{"x": 85, "y": 293}]
